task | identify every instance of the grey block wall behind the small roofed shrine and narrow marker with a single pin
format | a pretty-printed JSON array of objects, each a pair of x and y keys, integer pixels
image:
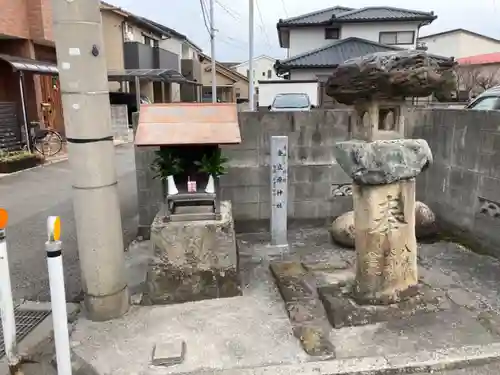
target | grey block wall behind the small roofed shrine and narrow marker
[{"x": 315, "y": 179}]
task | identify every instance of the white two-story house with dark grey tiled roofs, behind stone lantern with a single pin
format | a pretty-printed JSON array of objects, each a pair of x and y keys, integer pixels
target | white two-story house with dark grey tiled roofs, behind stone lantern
[{"x": 320, "y": 40}]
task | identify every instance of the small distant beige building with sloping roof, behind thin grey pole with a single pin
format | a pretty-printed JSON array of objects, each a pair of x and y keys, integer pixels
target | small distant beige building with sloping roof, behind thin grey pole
[{"x": 231, "y": 85}]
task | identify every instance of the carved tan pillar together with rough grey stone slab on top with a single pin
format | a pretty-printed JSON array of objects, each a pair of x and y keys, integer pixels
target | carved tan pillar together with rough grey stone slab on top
[{"x": 384, "y": 174}]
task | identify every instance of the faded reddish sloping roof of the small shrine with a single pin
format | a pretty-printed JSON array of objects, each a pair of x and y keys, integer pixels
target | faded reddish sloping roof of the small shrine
[{"x": 188, "y": 123}]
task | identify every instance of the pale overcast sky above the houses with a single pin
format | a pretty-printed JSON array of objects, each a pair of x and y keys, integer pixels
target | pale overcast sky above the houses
[{"x": 231, "y": 19}]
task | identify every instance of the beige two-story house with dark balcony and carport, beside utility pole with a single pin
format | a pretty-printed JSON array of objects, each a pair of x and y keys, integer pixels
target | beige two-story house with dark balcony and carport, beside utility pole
[{"x": 134, "y": 42}]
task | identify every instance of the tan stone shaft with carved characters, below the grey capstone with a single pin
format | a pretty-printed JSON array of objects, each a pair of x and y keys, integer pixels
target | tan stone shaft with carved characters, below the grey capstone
[{"x": 386, "y": 246}]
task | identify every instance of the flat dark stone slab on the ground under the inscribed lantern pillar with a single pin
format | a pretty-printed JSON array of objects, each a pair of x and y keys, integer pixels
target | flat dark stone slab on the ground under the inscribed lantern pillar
[{"x": 342, "y": 310}]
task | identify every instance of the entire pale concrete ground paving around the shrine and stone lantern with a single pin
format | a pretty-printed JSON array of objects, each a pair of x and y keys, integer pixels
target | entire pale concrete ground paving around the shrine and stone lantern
[{"x": 252, "y": 334}]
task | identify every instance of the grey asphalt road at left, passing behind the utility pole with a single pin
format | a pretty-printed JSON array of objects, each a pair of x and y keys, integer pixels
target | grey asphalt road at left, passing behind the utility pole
[{"x": 30, "y": 197}]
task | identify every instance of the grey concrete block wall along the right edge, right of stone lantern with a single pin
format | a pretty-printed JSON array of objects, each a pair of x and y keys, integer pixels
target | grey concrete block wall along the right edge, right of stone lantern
[{"x": 463, "y": 184}]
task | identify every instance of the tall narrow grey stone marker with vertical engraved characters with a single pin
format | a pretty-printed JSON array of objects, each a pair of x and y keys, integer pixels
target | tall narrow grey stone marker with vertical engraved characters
[{"x": 279, "y": 190}]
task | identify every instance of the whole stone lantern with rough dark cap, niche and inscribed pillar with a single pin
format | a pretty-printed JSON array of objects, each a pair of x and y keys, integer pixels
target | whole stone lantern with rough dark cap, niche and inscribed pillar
[{"x": 383, "y": 165}]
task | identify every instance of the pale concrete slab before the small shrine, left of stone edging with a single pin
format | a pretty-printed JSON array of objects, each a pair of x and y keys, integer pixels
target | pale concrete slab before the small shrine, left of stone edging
[{"x": 247, "y": 331}]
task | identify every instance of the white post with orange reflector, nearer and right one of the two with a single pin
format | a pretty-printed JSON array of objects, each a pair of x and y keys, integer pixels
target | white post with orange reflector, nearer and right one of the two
[{"x": 53, "y": 247}]
